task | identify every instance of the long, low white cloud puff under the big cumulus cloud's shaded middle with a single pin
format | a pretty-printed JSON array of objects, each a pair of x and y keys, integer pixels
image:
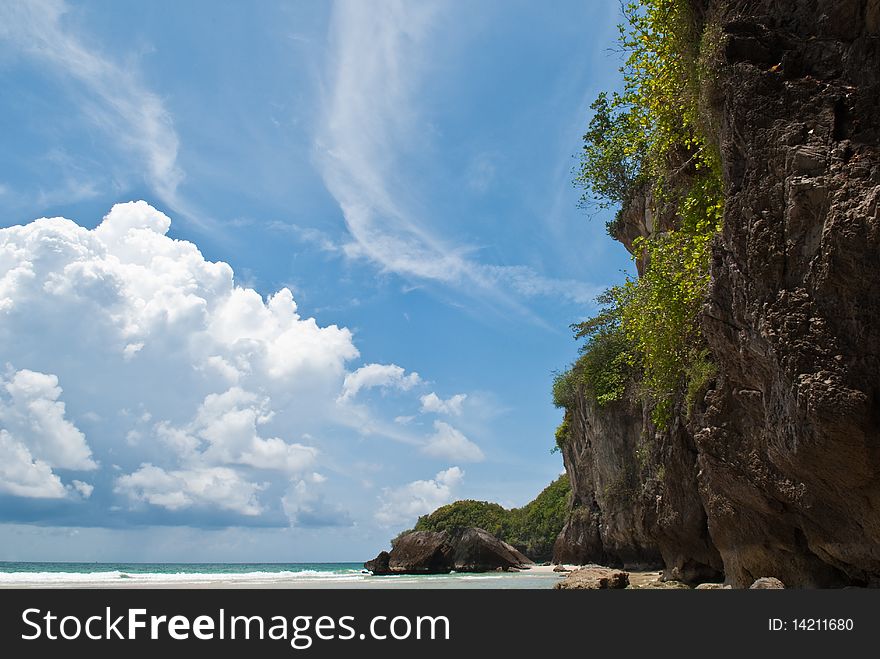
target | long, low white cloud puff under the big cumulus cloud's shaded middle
[{"x": 218, "y": 487}]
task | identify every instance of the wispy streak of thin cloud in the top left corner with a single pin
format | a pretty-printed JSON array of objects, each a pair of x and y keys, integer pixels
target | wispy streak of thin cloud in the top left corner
[{"x": 116, "y": 101}]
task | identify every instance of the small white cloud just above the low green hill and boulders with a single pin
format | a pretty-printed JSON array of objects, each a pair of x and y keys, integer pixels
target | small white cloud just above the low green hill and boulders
[{"x": 402, "y": 505}]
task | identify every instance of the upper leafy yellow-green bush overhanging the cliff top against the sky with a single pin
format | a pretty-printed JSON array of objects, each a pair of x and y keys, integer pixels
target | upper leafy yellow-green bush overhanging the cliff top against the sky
[{"x": 653, "y": 127}]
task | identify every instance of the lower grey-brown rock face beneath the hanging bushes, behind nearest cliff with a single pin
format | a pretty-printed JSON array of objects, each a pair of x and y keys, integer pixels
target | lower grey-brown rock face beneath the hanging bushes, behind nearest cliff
[{"x": 635, "y": 500}]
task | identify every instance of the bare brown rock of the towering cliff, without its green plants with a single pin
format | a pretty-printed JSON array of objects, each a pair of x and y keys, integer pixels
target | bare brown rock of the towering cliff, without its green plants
[{"x": 772, "y": 470}]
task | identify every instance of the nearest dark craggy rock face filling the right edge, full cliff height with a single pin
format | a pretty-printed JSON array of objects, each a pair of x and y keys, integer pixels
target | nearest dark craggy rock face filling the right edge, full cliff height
[{"x": 790, "y": 444}]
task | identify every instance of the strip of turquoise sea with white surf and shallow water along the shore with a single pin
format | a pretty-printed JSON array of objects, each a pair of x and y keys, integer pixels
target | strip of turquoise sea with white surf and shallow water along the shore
[{"x": 250, "y": 575}]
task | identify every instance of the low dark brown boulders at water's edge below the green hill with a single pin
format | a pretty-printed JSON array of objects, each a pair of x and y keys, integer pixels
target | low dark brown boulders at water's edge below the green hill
[{"x": 462, "y": 550}]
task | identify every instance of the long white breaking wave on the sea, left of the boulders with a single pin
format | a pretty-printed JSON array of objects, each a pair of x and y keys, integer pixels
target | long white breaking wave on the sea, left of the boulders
[{"x": 114, "y": 576}]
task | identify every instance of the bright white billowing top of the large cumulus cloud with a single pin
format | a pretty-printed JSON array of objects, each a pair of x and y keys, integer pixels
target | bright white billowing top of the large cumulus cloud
[{"x": 146, "y": 290}]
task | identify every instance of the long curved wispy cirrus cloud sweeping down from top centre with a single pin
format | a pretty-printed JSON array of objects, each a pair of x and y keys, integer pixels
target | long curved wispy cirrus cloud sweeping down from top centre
[{"x": 370, "y": 134}]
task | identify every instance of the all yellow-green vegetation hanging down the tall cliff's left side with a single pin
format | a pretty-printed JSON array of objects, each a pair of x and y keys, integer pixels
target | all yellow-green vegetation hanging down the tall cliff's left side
[{"x": 650, "y": 140}]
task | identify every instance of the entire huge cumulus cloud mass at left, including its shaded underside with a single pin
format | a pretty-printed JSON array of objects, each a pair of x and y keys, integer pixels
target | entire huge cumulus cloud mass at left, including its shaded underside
[{"x": 195, "y": 384}]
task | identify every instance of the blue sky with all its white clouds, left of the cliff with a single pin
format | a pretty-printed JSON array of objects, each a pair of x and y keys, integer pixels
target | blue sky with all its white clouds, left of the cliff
[{"x": 277, "y": 278}]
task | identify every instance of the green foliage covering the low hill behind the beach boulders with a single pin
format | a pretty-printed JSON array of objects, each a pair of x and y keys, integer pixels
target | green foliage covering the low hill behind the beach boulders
[{"x": 532, "y": 529}]
